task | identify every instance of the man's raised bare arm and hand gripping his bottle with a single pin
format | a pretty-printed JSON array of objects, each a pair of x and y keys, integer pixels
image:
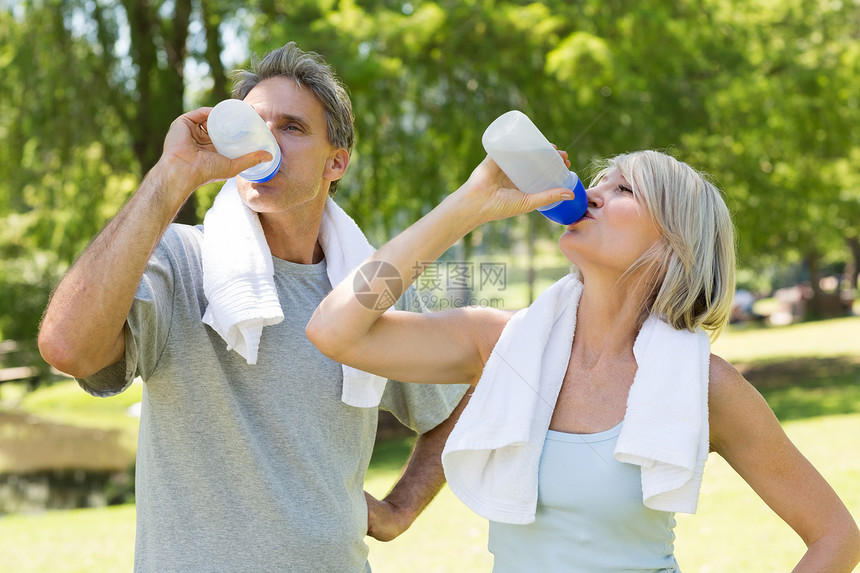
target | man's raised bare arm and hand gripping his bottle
[{"x": 82, "y": 330}]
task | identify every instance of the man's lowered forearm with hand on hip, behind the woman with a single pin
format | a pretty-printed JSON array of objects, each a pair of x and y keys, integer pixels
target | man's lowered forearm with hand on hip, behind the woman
[{"x": 421, "y": 480}]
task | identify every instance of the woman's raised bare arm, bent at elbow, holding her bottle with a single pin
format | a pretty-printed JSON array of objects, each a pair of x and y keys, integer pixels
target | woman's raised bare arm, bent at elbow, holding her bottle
[{"x": 443, "y": 347}]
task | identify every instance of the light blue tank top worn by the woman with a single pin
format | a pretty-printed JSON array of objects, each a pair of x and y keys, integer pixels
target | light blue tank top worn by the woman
[{"x": 590, "y": 516}]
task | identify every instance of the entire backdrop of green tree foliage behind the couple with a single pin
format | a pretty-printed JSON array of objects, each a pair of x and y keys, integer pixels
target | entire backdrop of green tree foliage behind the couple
[{"x": 758, "y": 93}]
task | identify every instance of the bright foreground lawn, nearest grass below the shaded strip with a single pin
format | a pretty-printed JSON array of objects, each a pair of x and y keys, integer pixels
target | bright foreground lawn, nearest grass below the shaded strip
[{"x": 732, "y": 531}]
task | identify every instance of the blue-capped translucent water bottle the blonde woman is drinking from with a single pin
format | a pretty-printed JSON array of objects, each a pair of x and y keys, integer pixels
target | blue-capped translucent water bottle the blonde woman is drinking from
[{"x": 533, "y": 165}]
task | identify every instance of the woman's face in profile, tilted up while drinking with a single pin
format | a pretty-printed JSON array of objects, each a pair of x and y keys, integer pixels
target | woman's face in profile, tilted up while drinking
[{"x": 615, "y": 231}]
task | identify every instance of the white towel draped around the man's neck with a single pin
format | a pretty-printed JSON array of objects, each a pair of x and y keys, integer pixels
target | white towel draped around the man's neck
[{"x": 238, "y": 279}]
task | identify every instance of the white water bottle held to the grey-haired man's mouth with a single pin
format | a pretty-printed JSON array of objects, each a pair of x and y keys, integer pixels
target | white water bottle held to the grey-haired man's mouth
[{"x": 236, "y": 129}]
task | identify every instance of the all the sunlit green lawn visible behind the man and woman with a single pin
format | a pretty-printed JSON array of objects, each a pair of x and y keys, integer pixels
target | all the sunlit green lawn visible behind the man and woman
[{"x": 809, "y": 373}]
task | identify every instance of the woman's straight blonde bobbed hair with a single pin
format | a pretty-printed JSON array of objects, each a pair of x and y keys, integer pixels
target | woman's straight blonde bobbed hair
[{"x": 690, "y": 273}]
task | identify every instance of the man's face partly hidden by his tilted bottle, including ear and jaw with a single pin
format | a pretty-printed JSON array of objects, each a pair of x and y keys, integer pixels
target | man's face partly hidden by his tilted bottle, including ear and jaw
[{"x": 308, "y": 161}]
